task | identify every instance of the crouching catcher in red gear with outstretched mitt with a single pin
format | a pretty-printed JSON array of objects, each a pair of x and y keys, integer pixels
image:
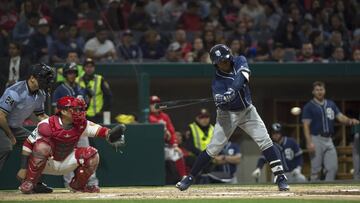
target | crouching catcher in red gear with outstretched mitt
[{"x": 51, "y": 148}]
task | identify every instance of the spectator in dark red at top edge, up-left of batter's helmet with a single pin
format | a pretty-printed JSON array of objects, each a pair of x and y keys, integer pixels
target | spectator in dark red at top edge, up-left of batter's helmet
[{"x": 190, "y": 20}]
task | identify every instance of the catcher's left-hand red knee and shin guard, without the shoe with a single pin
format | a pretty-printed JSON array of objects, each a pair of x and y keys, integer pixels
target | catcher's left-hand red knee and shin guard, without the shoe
[{"x": 41, "y": 152}]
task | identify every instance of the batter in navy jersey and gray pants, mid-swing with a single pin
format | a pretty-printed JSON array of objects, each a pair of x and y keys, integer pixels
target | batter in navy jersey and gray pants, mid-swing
[{"x": 232, "y": 98}]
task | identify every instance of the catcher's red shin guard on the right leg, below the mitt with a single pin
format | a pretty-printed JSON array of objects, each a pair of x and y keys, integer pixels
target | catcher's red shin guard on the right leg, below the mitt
[{"x": 88, "y": 159}]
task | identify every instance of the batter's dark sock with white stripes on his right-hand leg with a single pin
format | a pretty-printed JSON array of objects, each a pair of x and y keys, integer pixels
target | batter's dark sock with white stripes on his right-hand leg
[{"x": 272, "y": 155}]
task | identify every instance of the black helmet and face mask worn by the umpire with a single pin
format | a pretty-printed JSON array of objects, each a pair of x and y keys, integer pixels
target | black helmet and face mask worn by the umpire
[{"x": 44, "y": 74}]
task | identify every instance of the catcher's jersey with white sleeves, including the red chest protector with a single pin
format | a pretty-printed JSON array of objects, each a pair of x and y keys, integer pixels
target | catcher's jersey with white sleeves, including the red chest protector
[{"x": 62, "y": 141}]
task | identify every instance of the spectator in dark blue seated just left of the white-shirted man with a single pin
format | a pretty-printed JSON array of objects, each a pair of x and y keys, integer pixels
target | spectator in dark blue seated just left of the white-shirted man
[{"x": 62, "y": 46}]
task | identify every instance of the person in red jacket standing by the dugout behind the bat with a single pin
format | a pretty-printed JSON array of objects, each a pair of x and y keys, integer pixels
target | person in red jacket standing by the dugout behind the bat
[{"x": 172, "y": 151}]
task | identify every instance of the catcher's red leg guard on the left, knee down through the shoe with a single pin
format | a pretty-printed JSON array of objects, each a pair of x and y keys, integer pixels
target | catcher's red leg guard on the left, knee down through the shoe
[{"x": 37, "y": 162}]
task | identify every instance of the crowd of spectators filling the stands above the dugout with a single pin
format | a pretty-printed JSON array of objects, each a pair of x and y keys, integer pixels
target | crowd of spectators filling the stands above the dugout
[{"x": 181, "y": 30}]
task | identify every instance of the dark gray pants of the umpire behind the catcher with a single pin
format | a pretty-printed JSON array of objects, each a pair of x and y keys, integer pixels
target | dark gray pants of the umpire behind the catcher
[{"x": 5, "y": 144}]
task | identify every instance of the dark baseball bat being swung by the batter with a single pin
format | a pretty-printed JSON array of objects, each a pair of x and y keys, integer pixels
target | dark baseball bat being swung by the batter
[{"x": 181, "y": 103}]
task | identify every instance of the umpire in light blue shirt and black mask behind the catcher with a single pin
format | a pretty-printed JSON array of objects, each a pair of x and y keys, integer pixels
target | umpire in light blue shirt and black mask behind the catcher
[{"x": 18, "y": 102}]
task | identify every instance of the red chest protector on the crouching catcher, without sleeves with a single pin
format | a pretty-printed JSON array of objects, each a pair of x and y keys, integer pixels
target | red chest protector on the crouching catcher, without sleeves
[{"x": 64, "y": 141}]
